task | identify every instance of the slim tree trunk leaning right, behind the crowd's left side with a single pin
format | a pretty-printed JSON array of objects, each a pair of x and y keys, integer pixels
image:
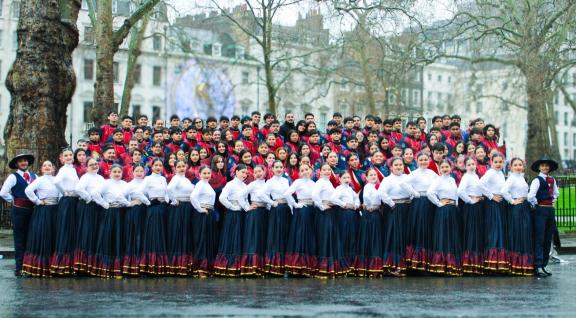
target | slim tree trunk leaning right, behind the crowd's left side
[{"x": 134, "y": 51}]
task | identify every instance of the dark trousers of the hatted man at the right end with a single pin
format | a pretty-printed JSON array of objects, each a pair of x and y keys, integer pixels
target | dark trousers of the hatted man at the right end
[{"x": 544, "y": 225}]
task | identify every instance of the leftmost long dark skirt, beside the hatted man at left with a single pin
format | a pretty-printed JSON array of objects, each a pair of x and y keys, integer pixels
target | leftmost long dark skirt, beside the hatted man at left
[{"x": 40, "y": 242}]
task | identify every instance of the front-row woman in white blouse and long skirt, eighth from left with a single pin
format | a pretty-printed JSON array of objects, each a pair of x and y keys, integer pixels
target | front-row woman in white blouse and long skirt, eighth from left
[{"x": 204, "y": 228}]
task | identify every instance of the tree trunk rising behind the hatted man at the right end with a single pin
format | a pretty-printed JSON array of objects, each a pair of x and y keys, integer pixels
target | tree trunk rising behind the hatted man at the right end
[{"x": 539, "y": 140}]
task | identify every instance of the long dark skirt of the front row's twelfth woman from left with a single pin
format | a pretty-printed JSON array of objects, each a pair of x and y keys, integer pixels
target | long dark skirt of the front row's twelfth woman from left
[{"x": 301, "y": 250}]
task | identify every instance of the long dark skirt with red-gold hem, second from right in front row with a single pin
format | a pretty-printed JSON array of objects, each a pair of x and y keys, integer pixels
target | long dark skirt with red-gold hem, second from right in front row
[{"x": 496, "y": 256}]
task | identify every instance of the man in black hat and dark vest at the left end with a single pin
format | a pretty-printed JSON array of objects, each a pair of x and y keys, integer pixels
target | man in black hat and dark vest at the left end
[{"x": 13, "y": 191}]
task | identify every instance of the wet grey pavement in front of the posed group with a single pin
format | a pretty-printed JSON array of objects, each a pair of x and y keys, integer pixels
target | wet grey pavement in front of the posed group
[{"x": 410, "y": 296}]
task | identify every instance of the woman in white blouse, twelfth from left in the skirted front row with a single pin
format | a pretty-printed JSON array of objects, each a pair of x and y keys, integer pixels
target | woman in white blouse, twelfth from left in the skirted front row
[{"x": 301, "y": 249}]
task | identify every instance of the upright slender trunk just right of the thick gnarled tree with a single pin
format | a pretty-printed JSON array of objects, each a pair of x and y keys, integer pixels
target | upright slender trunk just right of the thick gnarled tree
[{"x": 104, "y": 86}]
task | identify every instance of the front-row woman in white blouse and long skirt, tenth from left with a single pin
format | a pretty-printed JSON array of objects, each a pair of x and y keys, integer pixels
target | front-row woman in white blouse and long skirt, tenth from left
[{"x": 254, "y": 228}]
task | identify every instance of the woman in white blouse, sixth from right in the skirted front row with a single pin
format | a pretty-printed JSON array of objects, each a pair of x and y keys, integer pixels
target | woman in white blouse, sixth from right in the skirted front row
[{"x": 397, "y": 193}]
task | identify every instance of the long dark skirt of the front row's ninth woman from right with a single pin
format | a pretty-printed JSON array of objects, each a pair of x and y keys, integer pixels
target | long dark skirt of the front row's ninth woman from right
[{"x": 331, "y": 259}]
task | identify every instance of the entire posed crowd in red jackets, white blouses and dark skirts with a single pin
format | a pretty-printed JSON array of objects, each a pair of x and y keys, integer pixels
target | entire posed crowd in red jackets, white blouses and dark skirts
[{"x": 229, "y": 197}]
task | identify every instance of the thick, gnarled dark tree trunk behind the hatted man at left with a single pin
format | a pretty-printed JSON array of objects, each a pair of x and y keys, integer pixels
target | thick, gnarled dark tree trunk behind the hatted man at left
[{"x": 42, "y": 80}]
